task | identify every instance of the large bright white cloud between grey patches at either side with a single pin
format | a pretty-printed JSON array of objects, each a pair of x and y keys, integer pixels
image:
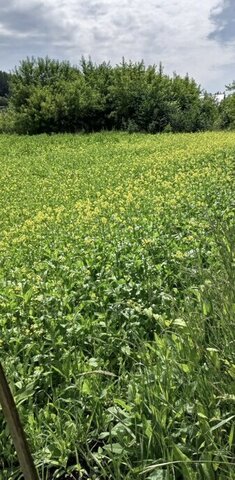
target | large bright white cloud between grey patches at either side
[{"x": 173, "y": 31}]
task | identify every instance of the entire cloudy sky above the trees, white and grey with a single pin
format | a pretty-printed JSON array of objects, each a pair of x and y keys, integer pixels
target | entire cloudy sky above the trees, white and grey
[{"x": 194, "y": 36}]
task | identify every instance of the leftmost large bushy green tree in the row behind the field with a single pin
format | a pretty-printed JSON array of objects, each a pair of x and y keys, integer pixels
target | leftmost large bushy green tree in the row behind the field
[{"x": 38, "y": 92}]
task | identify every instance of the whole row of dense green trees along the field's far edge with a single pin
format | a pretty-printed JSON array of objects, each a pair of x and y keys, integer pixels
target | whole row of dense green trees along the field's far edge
[{"x": 50, "y": 96}]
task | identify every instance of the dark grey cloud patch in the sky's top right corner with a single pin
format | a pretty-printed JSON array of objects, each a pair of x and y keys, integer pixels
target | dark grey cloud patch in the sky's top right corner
[{"x": 224, "y": 23}]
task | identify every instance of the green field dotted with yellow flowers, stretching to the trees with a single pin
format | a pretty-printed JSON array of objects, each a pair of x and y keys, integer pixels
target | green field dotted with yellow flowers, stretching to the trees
[{"x": 117, "y": 304}]
